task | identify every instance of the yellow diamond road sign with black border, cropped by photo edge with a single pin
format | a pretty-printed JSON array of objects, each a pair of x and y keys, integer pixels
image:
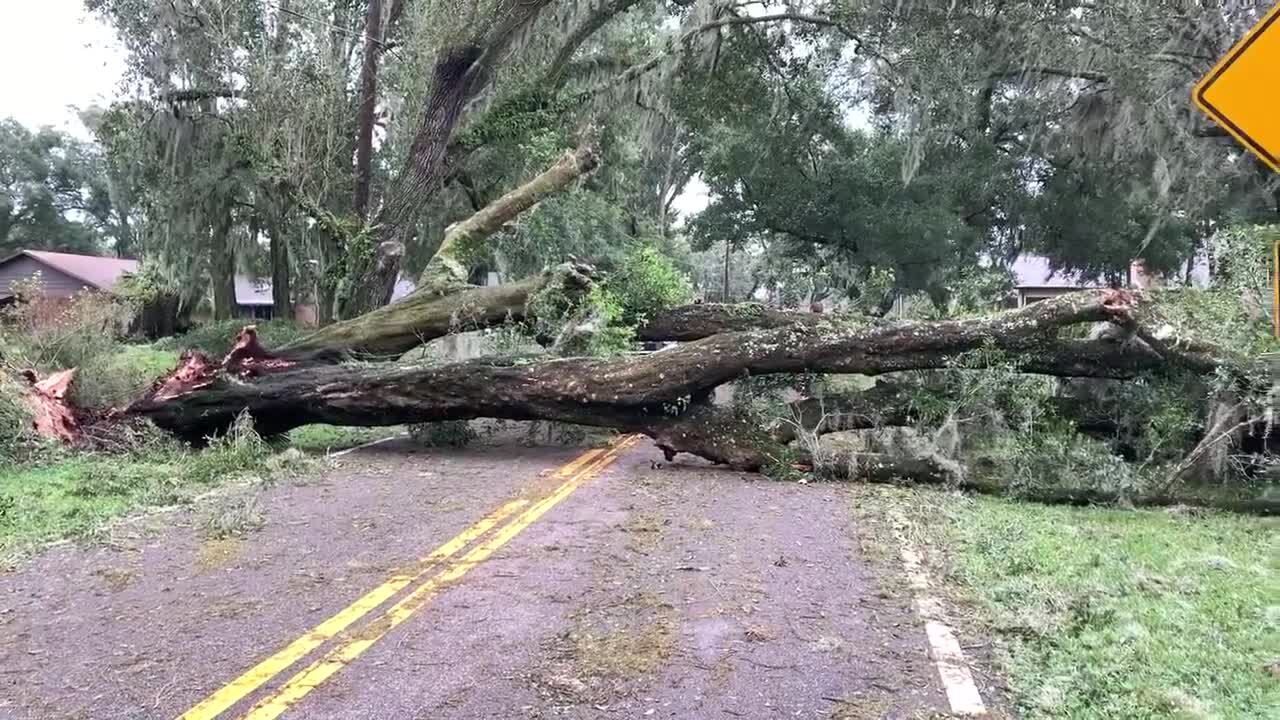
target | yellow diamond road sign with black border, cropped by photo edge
[{"x": 1242, "y": 93}]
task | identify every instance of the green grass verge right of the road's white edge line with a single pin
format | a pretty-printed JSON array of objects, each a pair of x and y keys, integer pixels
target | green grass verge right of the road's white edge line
[{"x": 1118, "y": 614}]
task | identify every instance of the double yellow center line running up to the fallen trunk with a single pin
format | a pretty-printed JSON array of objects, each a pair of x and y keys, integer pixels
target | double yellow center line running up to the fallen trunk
[{"x": 440, "y": 572}]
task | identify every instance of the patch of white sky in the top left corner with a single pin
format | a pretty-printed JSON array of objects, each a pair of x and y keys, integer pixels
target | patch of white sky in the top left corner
[{"x": 56, "y": 57}]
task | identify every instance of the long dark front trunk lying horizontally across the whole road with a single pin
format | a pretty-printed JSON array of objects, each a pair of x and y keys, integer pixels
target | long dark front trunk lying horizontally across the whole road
[{"x": 646, "y": 394}]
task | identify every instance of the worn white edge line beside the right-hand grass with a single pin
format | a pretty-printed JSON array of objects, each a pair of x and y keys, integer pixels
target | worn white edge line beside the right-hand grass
[{"x": 953, "y": 667}]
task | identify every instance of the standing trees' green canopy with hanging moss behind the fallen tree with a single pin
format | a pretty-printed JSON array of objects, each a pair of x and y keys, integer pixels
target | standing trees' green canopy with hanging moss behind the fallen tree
[{"x": 849, "y": 149}]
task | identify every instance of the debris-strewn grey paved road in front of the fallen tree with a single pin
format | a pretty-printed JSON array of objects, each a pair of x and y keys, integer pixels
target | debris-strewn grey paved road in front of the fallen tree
[{"x": 615, "y": 590}]
